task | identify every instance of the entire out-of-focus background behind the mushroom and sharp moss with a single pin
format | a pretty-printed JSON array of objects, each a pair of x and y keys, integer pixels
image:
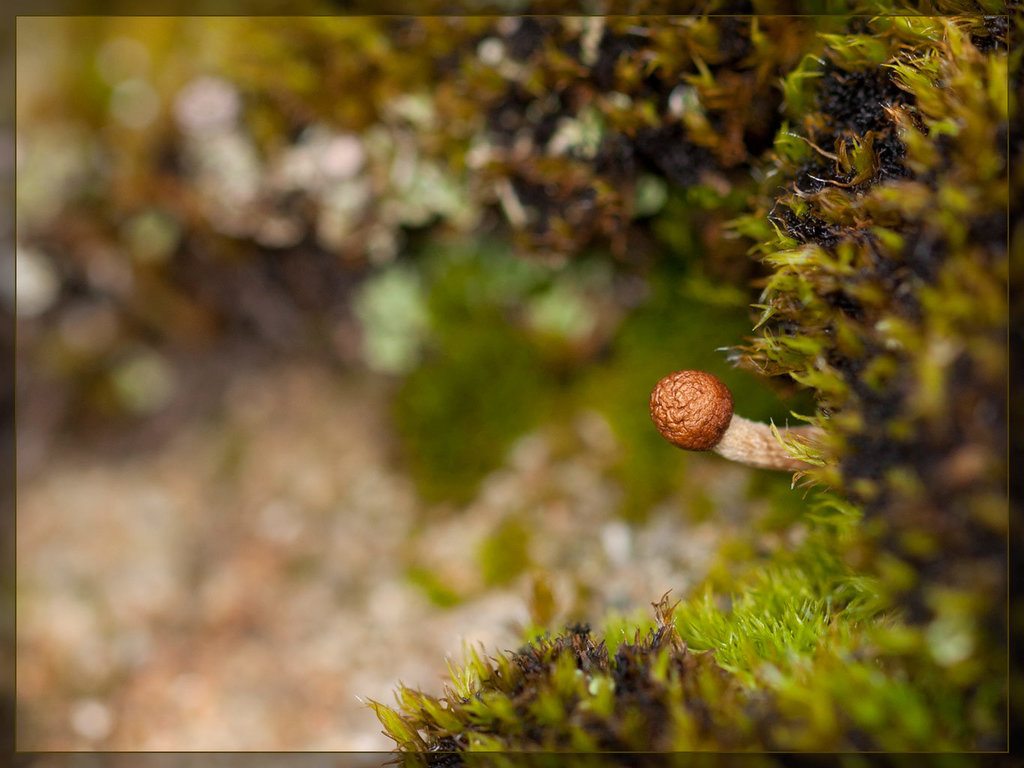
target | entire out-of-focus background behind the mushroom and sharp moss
[{"x": 317, "y": 386}]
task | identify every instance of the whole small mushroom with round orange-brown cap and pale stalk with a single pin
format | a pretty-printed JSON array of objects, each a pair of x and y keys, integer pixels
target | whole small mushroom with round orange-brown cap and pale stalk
[{"x": 694, "y": 410}]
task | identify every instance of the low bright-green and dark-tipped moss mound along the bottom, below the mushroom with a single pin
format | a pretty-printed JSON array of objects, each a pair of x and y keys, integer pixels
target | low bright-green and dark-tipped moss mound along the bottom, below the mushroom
[{"x": 799, "y": 659}]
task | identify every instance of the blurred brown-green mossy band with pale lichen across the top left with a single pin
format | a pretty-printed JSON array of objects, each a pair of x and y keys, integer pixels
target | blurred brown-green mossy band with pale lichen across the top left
[{"x": 196, "y": 180}]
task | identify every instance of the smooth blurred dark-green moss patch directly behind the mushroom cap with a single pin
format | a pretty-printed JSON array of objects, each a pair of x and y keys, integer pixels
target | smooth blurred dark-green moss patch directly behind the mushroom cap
[{"x": 495, "y": 368}]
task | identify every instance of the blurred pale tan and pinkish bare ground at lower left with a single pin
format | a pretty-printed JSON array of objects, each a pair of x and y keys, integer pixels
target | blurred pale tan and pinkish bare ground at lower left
[{"x": 242, "y": 583}]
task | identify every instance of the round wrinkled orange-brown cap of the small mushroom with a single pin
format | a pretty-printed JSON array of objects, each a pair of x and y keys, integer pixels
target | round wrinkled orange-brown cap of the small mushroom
[{"x": 692, "y": 409}]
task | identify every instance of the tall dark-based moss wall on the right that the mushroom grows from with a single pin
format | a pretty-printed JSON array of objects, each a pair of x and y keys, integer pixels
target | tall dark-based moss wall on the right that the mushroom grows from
[{"x": 889, "y": 298}]
